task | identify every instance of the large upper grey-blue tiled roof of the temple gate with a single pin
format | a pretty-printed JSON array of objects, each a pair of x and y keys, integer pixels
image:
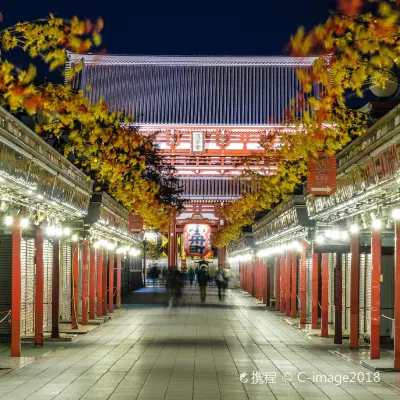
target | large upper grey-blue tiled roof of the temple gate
[{"x": 194, "y": 90}]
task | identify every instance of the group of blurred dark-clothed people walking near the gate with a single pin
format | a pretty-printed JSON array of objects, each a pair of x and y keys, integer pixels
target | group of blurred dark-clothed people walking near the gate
[{"x": 201, "y": 275}]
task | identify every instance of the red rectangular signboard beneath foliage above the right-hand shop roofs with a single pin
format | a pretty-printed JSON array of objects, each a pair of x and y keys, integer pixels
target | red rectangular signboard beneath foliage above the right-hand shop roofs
[{"x": 321, "y": 179}]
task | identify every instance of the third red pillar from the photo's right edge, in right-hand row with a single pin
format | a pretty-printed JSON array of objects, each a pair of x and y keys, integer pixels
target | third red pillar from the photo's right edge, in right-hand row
[{"x": 354, "y": 289}]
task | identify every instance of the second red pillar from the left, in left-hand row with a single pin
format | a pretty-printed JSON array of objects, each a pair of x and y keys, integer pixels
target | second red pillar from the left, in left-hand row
[{"x": 39, "y": 287}]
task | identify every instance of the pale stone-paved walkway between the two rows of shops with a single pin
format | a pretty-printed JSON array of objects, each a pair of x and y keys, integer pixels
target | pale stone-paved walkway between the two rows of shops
[{"x": 230, "y": 349}]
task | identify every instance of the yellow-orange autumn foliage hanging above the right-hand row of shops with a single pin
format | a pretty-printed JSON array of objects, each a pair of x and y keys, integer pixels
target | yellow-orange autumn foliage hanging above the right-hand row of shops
[{"x": 352, "y": 50}]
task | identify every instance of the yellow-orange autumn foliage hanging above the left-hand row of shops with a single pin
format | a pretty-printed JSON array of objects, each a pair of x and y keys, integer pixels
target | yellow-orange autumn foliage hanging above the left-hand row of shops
[{"x": 113, "y": 154}]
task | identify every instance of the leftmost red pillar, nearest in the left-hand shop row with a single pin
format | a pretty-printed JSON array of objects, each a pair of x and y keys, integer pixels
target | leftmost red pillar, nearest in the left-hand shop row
[{"x": 16, "y": 288}]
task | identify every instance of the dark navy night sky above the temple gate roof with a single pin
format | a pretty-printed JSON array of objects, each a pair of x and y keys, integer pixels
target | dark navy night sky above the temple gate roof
[{"x": 184, "y": 27}]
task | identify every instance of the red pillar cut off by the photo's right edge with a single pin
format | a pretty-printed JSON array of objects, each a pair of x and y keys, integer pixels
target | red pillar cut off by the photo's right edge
[{"x": 397, "y": 300}]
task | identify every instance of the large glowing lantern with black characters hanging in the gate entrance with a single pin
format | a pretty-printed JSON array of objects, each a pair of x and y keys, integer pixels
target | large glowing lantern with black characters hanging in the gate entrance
[{"x": 197, "y": 239}]
